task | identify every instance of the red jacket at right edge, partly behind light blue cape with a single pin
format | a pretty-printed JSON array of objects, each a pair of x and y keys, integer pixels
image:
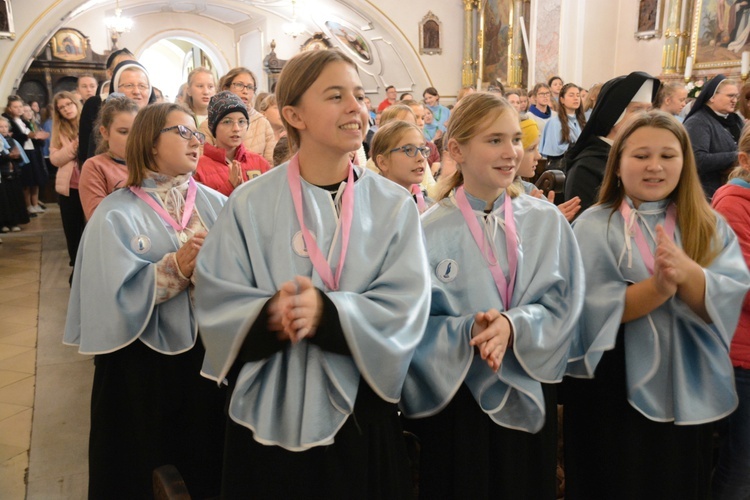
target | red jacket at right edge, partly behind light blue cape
[{"x": 733, "y": 202}]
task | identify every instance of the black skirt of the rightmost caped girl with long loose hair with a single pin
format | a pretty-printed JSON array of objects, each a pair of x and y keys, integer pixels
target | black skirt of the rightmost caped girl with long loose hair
[{"x": 612, "y": 451}]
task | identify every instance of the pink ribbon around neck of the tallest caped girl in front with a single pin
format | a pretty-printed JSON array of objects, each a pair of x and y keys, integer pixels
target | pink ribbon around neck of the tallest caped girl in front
[{"x": 347, "y": 211}]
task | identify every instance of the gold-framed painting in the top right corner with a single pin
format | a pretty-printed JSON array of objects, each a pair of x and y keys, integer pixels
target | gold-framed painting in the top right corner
[{"x": 721, "y": 32}]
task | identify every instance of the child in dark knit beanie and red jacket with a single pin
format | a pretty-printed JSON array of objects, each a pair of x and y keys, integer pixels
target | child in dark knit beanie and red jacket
[{"x": 228, "y": 164}]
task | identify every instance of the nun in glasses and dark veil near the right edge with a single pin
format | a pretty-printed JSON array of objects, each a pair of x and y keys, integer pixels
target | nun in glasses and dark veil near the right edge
[{"x": 714, "y": 130}]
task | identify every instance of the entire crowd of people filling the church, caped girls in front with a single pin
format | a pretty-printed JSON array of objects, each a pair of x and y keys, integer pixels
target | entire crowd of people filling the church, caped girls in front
[{"x": 276, "y": 287}]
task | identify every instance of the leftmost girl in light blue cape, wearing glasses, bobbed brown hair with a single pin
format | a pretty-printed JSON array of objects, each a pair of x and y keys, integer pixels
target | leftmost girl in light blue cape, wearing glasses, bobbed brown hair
[{"x": 131, "y": 307}]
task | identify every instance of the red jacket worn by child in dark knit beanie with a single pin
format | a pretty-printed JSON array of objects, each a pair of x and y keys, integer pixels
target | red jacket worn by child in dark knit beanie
[{"x": 213, "y": 170}]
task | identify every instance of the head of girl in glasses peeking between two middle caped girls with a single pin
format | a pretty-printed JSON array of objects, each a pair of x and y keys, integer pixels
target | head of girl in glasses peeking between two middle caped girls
[{"x": 400, "y": 153}]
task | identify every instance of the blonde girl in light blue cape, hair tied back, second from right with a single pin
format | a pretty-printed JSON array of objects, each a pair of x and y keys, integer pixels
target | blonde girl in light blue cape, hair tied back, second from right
[{"x": 507, "y": 289}]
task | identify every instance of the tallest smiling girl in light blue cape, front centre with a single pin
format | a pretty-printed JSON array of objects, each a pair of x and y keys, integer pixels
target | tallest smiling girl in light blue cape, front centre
[{"x": 313, "y": 293}]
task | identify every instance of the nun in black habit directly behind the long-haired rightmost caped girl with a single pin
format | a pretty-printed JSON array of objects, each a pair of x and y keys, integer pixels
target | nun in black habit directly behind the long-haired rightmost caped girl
[{"x": 586, "y": 160}]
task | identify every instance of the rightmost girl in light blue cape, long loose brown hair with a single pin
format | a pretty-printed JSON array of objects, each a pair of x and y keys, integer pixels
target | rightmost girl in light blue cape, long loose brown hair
[{"x": 665, "y": 281}]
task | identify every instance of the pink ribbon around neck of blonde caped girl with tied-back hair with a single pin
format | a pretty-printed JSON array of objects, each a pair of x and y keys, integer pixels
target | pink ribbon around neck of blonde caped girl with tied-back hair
[{"x": 511, "y": 242}]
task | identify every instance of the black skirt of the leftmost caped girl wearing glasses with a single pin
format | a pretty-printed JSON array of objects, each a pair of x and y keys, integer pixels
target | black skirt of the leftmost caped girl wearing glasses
[{"x": 147, "y": 410}]
